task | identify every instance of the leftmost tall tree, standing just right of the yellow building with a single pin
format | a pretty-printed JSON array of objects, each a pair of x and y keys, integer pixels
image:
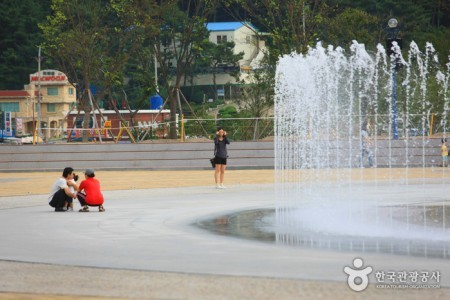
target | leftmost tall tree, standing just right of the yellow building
[{"x": 75, "y": 36}]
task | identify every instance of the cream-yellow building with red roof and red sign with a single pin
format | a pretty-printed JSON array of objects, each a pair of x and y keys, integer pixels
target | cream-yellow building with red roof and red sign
[{"x": 58, "y": 97}]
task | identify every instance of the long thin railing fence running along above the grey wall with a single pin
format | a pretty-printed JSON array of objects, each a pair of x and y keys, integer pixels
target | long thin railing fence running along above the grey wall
[{"x": 253, "y": 129}]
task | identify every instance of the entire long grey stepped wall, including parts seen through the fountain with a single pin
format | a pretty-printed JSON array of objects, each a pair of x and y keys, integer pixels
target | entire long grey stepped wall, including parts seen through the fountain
[{"x": 194, "y": 155}]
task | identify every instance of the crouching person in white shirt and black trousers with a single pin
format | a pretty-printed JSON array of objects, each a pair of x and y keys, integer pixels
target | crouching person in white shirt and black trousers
[{"x": 61, "y": 195}]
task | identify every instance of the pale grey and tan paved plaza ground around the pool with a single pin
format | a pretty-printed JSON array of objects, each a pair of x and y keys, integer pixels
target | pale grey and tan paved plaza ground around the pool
[{"x": 145, "y": 246}]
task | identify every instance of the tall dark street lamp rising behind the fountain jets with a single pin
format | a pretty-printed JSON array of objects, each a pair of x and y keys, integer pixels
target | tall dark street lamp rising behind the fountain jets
[{"x": 393, "y": 30}]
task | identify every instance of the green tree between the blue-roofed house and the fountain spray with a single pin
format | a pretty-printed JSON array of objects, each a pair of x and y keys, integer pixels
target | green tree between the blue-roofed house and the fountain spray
[{"x": 292, "y": 26}]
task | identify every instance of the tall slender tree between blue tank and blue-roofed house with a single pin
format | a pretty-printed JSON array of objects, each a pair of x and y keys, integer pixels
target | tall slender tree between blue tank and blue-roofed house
[{"x": 182, "y": 37}]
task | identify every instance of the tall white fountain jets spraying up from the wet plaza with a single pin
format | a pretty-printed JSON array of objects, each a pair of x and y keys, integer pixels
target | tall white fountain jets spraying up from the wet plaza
[{"x": 326, "y": 102}]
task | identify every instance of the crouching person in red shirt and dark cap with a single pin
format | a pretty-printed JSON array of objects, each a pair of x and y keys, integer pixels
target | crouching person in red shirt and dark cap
[{"x": 90, "y": 194}]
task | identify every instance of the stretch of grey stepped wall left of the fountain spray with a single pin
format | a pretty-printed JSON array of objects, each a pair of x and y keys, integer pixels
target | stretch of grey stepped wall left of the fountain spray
[{"x": 167, "y": 156}]
